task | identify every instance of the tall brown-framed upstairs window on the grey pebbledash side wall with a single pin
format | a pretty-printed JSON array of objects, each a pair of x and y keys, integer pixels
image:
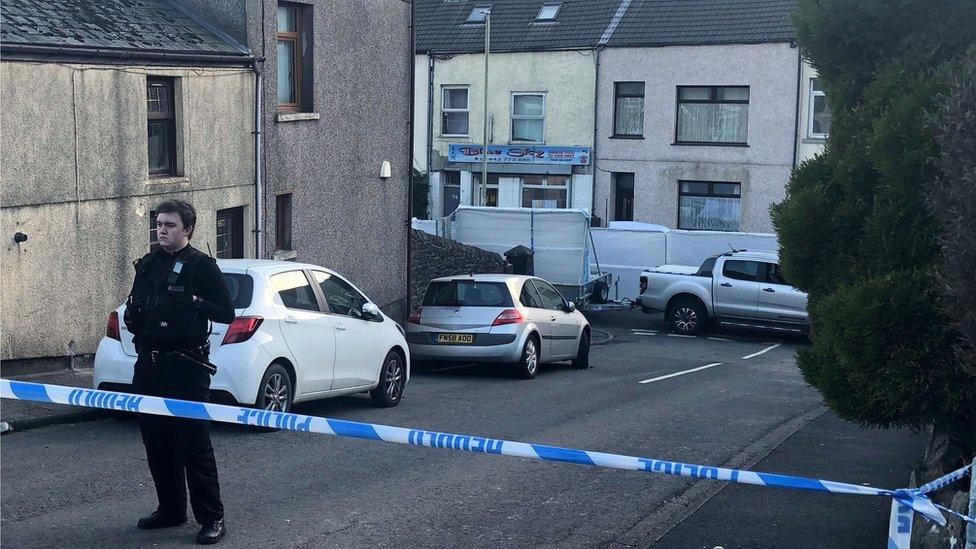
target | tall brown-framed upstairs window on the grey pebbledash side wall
[{"x": 294, "y": 57}]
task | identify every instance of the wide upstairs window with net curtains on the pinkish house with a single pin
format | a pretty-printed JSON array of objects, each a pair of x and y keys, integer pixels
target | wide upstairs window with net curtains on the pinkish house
[{"x": 716, "y": 114}]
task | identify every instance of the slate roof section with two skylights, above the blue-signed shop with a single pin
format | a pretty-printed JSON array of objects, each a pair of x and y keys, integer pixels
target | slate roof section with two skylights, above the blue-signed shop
[{"x": 579, "y": 24}]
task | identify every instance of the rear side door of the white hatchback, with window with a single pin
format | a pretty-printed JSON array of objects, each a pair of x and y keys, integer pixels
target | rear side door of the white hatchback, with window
[{"x": 307, "y": 330}]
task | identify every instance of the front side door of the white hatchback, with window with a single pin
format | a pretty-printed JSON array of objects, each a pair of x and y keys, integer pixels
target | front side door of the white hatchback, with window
[{"x": 358, "y": 347}]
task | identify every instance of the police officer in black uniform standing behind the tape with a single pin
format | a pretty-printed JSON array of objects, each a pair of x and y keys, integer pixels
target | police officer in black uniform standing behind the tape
[{"x": 176, "y": 291}]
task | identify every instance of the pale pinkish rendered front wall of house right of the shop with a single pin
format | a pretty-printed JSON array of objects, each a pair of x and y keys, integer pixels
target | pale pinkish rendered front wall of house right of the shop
[{"x": 762, "y": 167}]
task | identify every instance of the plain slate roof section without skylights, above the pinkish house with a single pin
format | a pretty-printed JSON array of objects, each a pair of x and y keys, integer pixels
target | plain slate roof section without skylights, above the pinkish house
[{"x": 704, "y": 22}]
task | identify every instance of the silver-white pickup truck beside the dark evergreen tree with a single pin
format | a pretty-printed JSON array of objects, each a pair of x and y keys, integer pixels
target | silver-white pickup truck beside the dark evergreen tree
[{"x": 739, "y": 288}]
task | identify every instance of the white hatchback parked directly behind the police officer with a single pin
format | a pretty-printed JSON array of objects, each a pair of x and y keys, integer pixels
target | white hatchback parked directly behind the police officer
[{"x": 301, "y": 332}]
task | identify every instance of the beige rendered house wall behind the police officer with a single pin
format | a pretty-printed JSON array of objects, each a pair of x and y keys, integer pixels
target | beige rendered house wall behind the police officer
[{"x": 74, "y": 179}]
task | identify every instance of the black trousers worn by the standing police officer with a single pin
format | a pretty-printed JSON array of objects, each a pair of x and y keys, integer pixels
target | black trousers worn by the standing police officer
[{"x": 178, "y": 450}]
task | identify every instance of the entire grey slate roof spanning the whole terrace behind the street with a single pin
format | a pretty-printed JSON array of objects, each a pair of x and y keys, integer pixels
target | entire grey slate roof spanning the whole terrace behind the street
[{"x": 581, "y": 23}]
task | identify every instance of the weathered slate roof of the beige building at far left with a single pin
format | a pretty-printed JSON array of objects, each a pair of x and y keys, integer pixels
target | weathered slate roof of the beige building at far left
[{"x": 133, "y": 29}]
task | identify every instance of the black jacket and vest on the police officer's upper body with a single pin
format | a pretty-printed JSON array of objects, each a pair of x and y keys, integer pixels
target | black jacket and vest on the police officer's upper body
[{"x": 161, "y": 312}]
